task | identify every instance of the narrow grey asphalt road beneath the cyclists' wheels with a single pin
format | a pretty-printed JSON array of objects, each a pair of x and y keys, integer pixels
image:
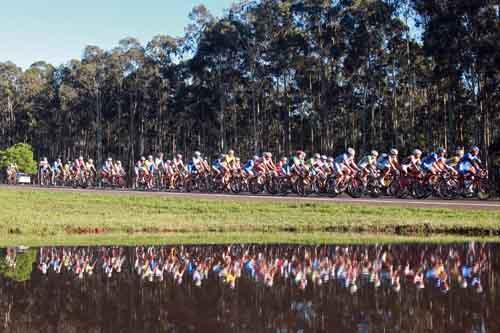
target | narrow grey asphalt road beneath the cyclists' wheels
[{"x": 382, "y": 201}]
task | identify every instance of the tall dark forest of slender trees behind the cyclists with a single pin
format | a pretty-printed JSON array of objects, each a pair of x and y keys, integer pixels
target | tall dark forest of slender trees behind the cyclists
[{"x": 271, "y": 75}]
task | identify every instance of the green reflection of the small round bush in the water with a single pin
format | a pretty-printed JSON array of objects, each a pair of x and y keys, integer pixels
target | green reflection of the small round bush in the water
[{"x": 21, "y": 269}]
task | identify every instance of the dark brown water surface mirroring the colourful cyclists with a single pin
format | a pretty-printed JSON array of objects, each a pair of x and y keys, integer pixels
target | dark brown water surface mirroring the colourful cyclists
[{"x": 409, "y": 288}]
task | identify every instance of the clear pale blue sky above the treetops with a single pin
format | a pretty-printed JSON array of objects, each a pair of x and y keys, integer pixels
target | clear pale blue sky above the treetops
[{"x": 58, "y": 30}]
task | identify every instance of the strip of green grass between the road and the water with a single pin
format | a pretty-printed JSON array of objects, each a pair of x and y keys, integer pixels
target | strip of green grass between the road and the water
[{"x": 42, "y": 217}]
